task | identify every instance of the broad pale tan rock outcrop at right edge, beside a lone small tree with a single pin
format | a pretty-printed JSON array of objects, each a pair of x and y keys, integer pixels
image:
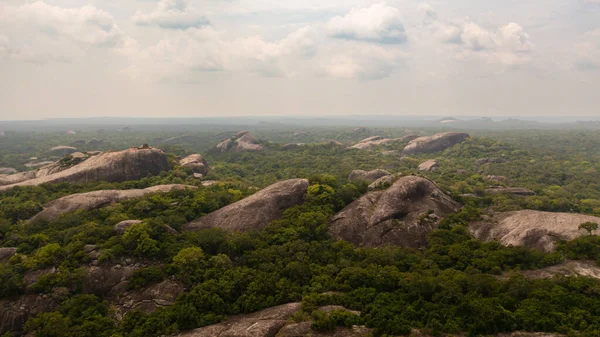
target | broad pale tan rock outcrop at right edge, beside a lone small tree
[{"x": 532, "y": 229}]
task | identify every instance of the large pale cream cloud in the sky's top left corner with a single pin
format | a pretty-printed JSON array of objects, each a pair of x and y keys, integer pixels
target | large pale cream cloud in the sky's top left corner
[{"x": 39, "y": 32}]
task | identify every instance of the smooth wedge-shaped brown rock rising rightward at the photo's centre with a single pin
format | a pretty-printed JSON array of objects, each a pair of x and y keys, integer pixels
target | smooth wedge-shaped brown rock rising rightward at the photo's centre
[{"x": 256, "y": 211}]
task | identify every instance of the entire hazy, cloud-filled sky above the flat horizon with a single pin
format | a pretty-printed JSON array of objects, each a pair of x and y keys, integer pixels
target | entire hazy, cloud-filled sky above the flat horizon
[{"x": 196, "y": 58}]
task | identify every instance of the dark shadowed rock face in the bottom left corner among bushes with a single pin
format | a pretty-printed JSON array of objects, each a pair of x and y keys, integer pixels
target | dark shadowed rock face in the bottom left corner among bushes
[{"x": 15, "y": 312}]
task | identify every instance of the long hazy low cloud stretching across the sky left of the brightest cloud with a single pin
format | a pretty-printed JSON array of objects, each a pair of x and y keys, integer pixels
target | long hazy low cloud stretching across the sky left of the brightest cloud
[{"x": 184, "y": 53}]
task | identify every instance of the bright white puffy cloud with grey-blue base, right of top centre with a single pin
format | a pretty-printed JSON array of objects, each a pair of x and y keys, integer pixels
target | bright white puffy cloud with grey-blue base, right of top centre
[{"x": 377, "y": 23}]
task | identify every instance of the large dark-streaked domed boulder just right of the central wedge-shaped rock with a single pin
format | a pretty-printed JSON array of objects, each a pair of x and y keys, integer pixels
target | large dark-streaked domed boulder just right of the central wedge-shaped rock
[{"x": 395, "y": 216}]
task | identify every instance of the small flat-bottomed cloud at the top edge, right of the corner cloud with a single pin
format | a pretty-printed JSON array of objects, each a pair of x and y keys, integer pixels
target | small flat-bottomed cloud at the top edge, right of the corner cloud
[{"x": 171, "y": 14}]
